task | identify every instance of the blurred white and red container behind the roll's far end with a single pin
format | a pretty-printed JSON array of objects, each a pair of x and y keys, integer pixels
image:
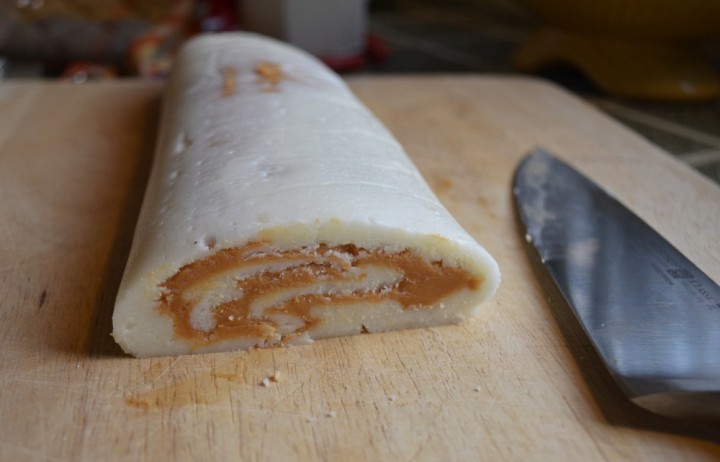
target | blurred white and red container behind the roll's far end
[{"x": 325, "y": 28}]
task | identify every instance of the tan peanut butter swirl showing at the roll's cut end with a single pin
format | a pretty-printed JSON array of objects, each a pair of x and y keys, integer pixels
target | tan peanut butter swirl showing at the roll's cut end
[{"x": 420, "y": 285}]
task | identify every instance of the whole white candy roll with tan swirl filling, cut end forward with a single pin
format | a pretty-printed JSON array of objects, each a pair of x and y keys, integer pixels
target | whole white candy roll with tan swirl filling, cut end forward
[{"x": 264, "y": 150}]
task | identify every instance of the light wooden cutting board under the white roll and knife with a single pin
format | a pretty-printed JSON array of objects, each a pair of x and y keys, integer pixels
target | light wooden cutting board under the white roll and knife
[{"x": 516, "y": 383}]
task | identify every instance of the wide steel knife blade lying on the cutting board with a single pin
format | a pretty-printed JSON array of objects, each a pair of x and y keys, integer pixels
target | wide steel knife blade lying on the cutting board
[{"x": 651, "y": 314}]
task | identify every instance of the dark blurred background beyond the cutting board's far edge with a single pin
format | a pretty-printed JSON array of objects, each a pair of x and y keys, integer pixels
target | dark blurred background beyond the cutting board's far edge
[{"x": 653, "y": 65}]
